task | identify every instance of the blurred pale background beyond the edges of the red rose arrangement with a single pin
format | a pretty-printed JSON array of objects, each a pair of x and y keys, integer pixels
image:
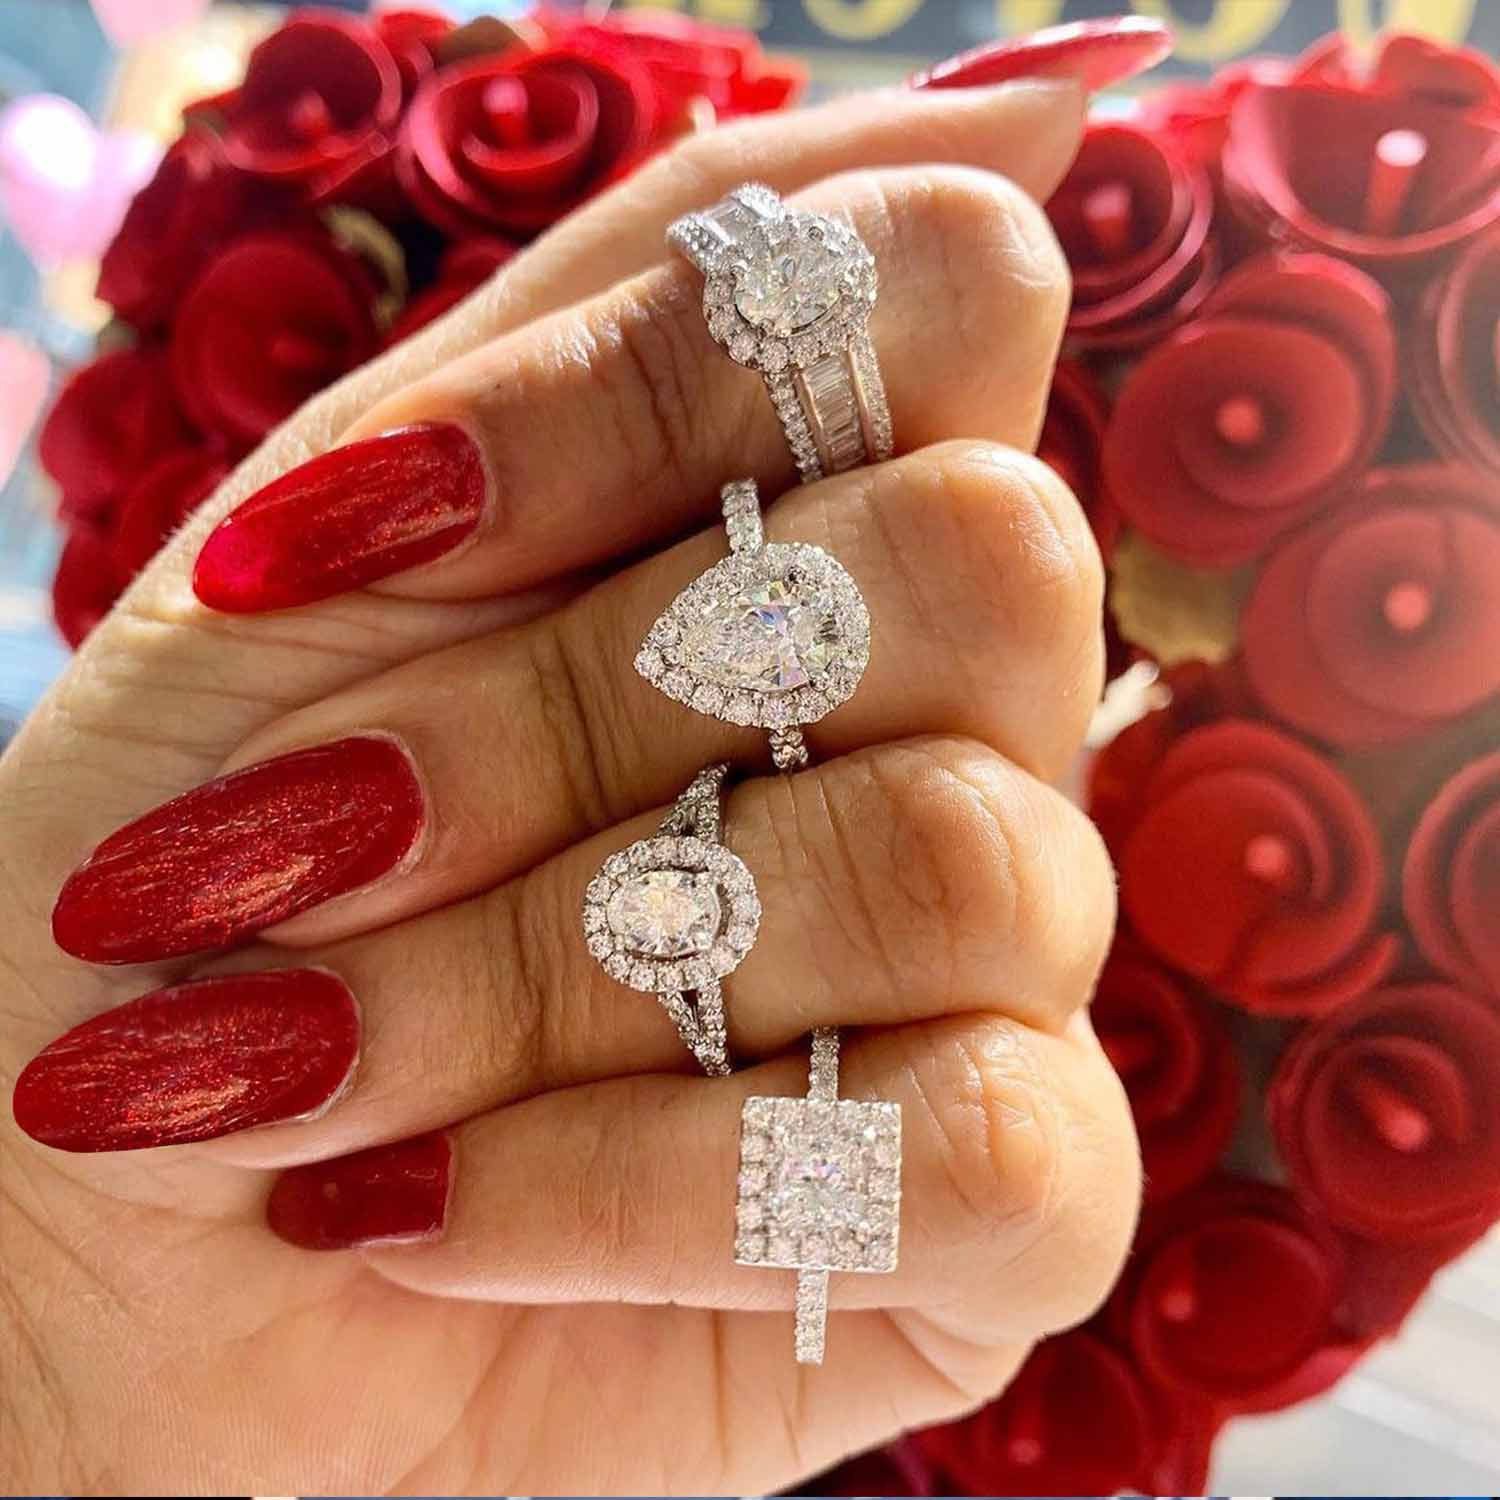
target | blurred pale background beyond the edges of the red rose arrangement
[{"x": 92, "y": 91}]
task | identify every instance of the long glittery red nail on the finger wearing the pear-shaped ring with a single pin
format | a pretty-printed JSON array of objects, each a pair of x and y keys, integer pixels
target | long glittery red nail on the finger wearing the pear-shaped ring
[{"x": 244, "y": 853}]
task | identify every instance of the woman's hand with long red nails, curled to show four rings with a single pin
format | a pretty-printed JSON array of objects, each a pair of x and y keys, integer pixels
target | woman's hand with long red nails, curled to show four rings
[{"x": 469, "y": 742}]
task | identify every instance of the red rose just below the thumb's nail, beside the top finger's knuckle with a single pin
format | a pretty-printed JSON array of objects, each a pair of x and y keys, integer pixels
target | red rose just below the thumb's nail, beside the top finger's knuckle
[{"x": 1133, "y": 218}]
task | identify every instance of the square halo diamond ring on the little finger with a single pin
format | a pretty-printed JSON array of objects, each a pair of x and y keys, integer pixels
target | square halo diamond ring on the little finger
[{"x": 820, "y": 1189}]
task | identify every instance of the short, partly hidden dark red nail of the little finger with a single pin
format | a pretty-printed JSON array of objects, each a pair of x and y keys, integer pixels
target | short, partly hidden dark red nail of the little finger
[{"x": 386, "y": 1195}]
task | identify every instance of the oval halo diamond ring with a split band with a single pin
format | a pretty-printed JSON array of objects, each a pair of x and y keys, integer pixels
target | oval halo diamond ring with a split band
[{"x": 673, "y": 916}]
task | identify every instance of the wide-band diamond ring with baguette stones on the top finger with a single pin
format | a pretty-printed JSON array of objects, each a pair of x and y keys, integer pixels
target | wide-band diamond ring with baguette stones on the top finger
[{"x": 790, "y": 295}]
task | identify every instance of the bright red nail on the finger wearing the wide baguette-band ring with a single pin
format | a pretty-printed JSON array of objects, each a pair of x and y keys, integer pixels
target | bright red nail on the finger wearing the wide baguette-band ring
[{"x": 344, "y": 520}]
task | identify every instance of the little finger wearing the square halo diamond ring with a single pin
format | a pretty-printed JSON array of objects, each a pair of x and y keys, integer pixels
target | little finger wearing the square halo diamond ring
[{"x": 1018, "y": 1190}]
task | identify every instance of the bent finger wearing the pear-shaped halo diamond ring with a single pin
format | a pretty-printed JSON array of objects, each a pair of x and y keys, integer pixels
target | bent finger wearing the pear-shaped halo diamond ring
[{"x": 983, "y": 587}]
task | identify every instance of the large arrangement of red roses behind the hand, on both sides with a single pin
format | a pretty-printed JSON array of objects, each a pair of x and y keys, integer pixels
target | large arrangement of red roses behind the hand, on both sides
[{"x": 1280, "y": 406}]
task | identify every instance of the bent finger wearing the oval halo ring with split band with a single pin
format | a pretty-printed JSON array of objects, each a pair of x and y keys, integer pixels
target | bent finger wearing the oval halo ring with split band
[{"x": 902, "y": 884}]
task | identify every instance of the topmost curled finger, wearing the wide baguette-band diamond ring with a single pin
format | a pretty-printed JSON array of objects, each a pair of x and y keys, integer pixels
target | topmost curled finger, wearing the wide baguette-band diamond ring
[{"x": 632, "y": 415}]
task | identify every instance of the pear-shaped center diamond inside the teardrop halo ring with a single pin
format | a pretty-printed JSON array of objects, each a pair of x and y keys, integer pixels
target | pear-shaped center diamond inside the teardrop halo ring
[{"x": 772, "y": 637}]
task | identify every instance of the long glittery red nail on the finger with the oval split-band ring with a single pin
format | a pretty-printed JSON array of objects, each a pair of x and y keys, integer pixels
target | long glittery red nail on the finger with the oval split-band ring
[{"x": 193, "y": 1063}]
